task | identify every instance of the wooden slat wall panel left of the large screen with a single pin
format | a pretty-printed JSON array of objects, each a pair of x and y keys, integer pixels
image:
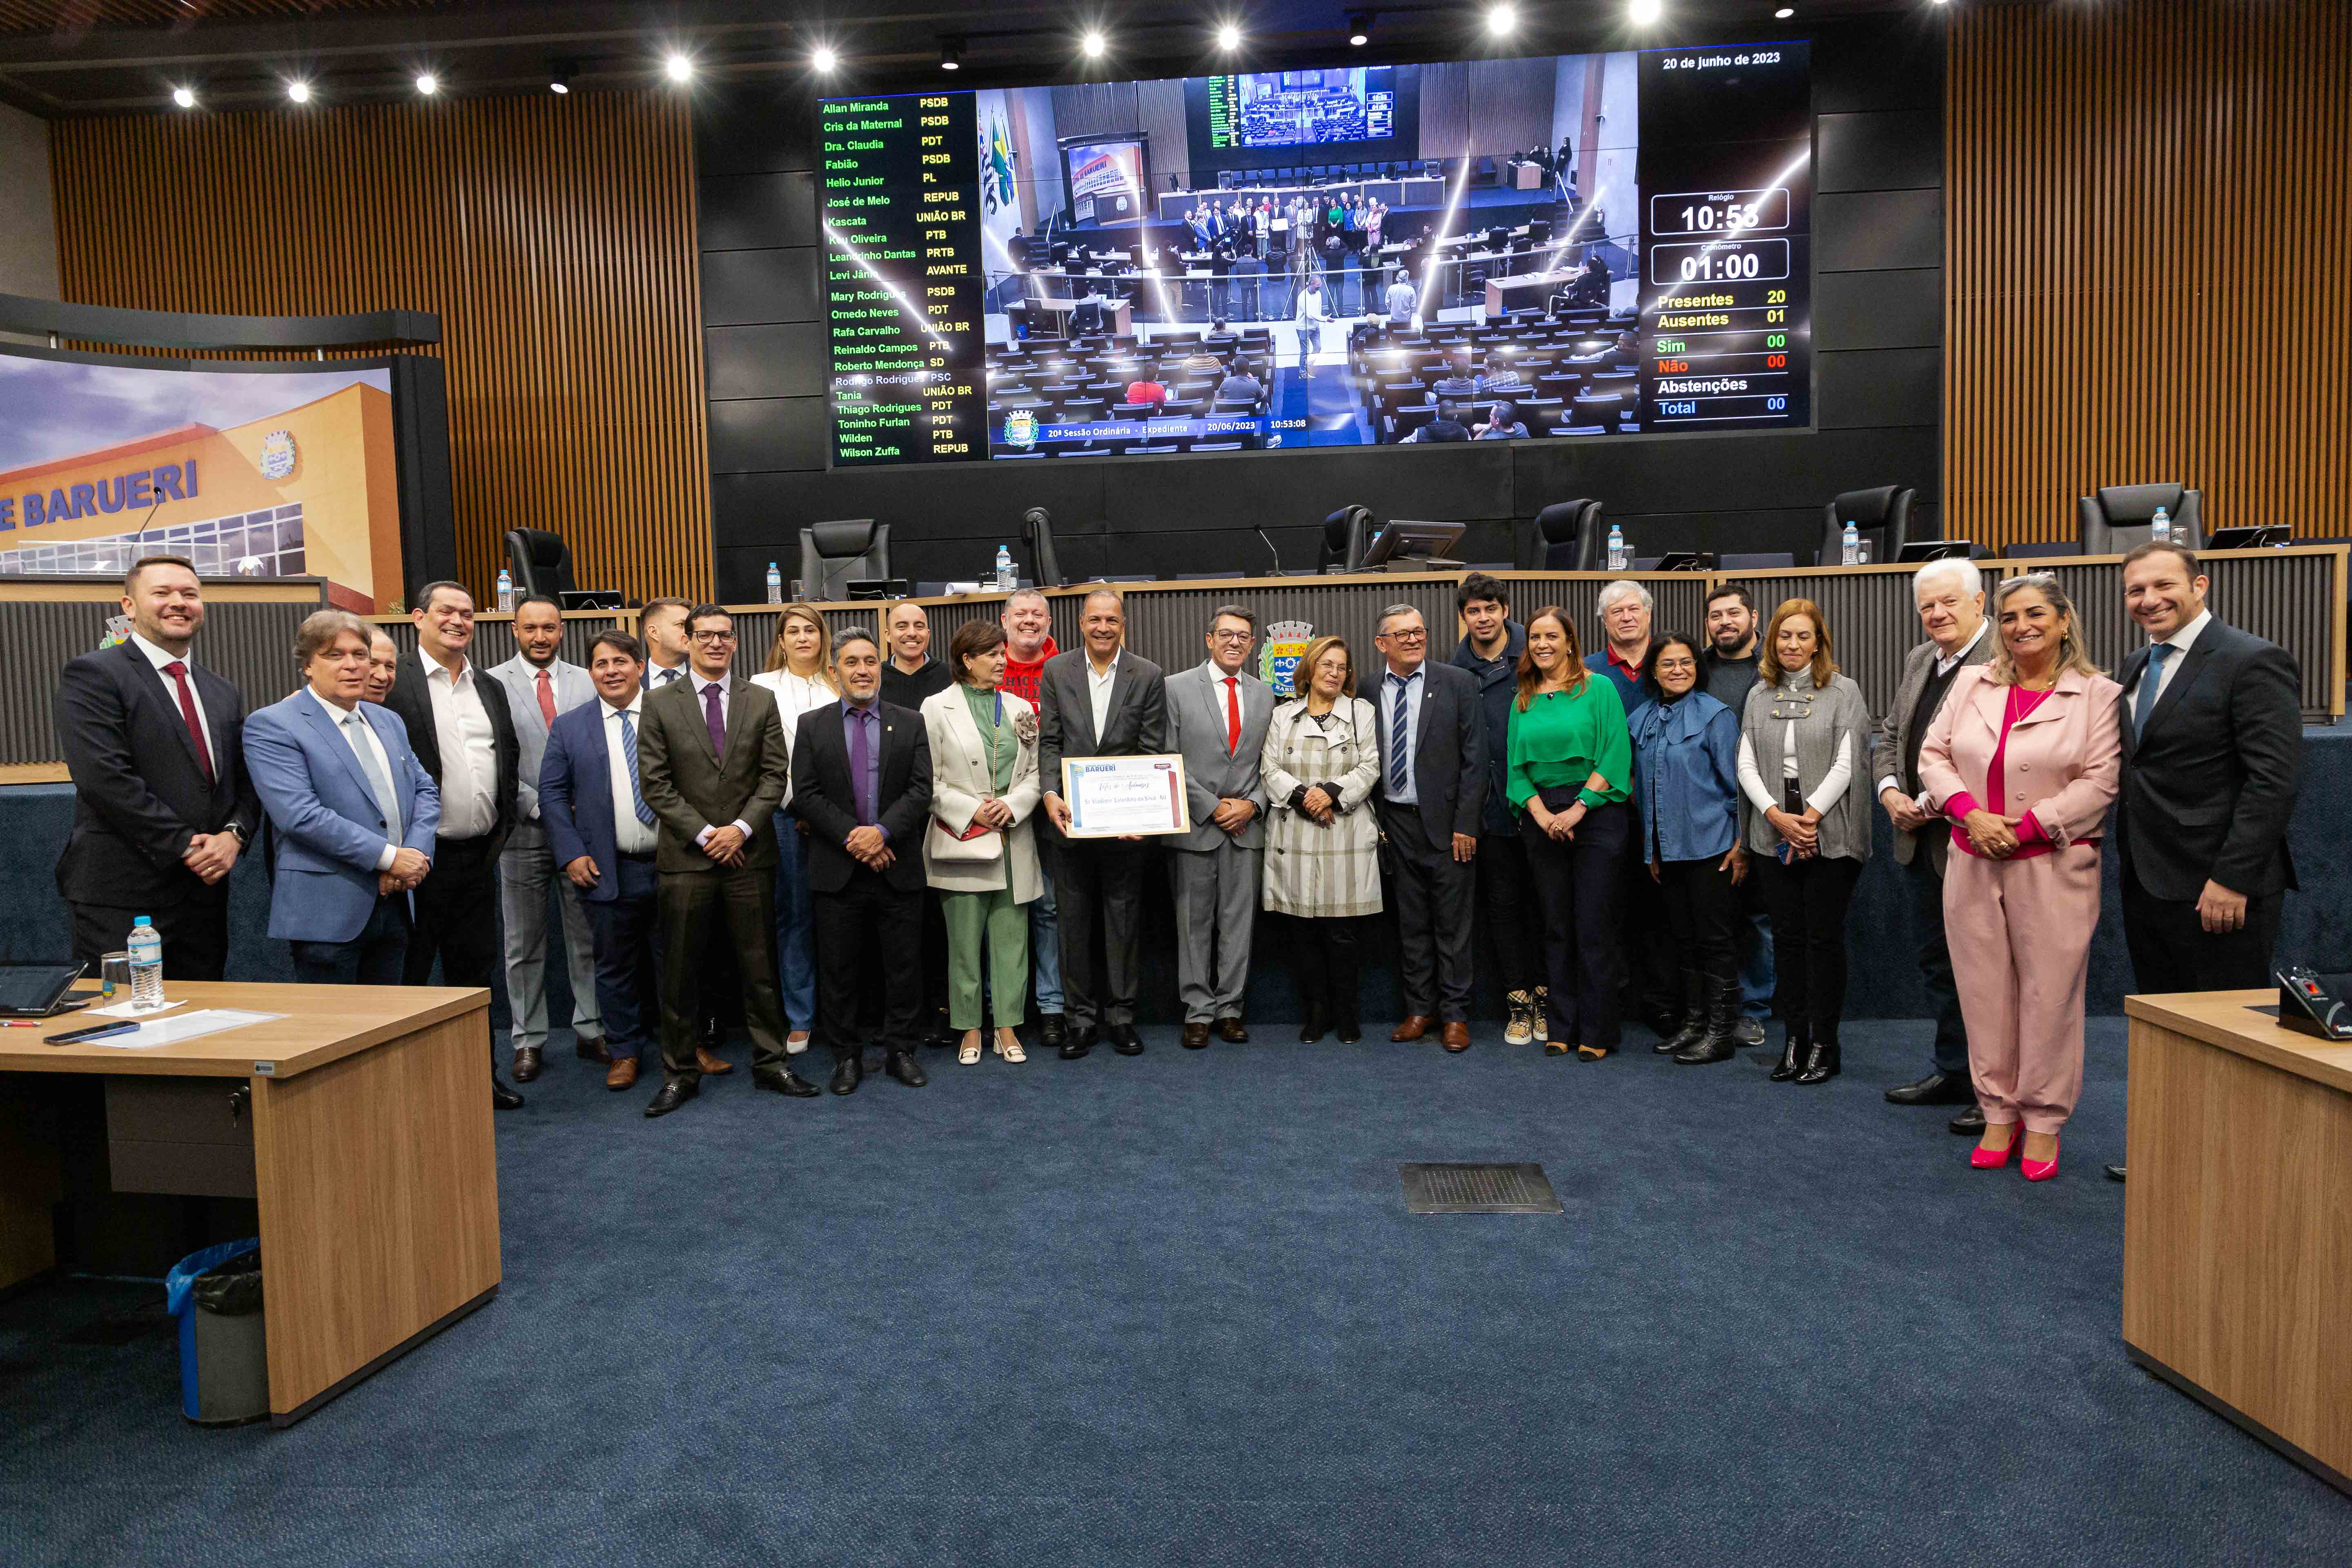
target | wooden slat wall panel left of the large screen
[{"x": 552, "y": 236}]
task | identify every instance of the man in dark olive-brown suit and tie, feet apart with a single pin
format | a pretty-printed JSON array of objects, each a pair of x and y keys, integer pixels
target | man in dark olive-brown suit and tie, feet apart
[{"x": 714, "y": 768}]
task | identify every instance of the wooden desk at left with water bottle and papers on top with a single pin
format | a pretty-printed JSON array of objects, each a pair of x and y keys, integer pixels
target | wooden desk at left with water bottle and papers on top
[{"x": 373, "y": 1165}]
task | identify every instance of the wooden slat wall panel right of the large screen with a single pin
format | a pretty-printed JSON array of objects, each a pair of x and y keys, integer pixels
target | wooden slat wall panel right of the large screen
[{"x": 2149, "y": 222}]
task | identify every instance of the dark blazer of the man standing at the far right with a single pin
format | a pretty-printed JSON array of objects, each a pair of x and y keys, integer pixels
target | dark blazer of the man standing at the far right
[{"x": 2212, "y": 782}]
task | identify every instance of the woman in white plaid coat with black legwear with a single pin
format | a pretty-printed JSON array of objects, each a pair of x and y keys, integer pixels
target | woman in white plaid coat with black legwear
[{"x": 1323, "y": 850}]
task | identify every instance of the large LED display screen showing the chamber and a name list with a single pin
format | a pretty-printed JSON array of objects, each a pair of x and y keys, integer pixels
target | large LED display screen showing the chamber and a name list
[{"x": 1558, "y": 248}]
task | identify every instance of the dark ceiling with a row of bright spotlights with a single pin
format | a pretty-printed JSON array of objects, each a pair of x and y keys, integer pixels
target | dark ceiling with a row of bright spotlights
[{"x": 112, "y": 58}]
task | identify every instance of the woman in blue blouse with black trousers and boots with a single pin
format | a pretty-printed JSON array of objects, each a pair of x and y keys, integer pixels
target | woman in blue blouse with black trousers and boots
[{"x": 1688, "y": 758}]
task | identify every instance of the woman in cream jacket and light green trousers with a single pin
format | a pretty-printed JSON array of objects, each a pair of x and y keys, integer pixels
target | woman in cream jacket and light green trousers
[{"x": 980, "y": 850}]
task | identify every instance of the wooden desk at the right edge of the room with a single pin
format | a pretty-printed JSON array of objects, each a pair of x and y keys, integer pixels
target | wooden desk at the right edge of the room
[{"x": 2238, "y": 1219}]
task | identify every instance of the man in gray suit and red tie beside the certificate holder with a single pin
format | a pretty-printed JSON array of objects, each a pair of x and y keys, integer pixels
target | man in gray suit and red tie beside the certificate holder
[{"x": 1217, "y": 723}]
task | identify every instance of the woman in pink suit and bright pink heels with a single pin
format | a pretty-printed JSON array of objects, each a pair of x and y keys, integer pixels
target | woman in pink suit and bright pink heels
[{"x": 2024, "y": 760}]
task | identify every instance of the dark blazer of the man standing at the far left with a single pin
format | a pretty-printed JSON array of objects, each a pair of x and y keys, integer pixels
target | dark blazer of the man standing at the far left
[{"x": 138, "y": 789}]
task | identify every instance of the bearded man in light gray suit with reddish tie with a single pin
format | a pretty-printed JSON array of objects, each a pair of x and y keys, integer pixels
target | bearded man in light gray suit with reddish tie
[{"x": 540, "y": 685}]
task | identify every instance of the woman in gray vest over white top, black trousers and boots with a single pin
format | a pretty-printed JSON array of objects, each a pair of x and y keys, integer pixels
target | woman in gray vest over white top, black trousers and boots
[{"x": 1805, "y": 768}]
